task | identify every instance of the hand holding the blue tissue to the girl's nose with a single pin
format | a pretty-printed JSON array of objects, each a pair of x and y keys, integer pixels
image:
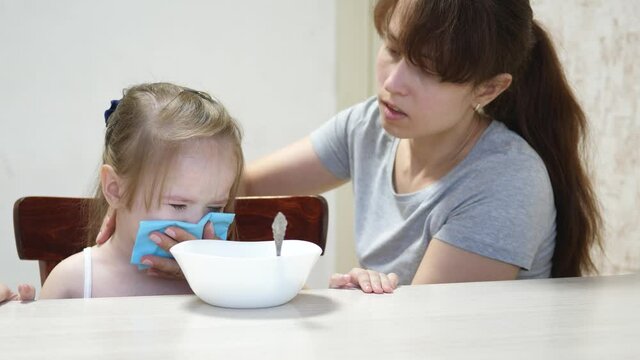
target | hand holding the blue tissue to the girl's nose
[{"x": 168, "y": 268}]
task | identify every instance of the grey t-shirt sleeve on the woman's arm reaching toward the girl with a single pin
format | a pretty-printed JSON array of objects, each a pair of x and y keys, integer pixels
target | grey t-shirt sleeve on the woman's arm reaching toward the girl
[{"x": 333, "y": 141}]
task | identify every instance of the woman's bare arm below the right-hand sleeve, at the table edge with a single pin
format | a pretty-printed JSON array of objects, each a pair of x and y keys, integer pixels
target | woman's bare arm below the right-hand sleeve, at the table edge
[{"x": 444, "y": 263}]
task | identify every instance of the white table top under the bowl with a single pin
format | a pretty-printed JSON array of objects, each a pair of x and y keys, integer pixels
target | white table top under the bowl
[{"x": 579, "y": 318}]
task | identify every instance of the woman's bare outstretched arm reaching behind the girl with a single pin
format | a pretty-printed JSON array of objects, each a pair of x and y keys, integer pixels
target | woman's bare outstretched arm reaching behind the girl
[{"x": 293, "y": 170}]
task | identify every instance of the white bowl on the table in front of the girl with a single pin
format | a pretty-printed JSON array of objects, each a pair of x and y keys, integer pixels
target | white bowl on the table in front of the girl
[{"x": 240, "y": 274}]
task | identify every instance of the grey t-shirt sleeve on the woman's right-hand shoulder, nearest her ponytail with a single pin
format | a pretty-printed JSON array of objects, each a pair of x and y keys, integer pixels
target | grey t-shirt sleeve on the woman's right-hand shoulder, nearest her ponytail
[{"x": 505, "y": 213}]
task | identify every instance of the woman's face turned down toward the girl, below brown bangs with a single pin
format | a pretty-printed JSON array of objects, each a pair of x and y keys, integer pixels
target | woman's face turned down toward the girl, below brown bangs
[{"x": 412, "y": 102}]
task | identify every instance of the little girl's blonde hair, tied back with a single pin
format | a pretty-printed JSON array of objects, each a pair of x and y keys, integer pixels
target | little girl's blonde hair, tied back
[{"x": 145, "y": 132}]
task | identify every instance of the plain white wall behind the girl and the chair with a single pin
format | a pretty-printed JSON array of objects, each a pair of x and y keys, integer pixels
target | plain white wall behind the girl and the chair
[{"x": 272, "y": 63}]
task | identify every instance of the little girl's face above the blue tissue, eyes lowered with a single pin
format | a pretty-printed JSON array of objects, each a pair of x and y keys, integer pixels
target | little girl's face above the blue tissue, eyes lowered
[{"x": 198, "y": 183}]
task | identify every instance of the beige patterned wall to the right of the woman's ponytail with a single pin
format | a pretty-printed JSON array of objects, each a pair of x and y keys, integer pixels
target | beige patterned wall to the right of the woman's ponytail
[{"x": 599, "y": 45}]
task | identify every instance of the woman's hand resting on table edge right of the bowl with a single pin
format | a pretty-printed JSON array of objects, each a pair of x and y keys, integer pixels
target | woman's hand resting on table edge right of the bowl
[{"x": 367, "y": 280}]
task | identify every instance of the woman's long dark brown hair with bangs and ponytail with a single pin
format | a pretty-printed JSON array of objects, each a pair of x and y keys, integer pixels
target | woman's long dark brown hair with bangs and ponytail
[{"x": 474, "y": 40}]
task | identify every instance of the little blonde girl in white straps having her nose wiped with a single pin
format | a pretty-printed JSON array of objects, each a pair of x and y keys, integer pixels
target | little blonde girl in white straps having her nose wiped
[{"x": 171, "y": 153}]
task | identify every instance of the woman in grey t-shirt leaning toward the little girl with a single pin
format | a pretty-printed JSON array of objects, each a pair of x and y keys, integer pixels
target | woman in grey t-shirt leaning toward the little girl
[{"x": 466, "y": 166}]
